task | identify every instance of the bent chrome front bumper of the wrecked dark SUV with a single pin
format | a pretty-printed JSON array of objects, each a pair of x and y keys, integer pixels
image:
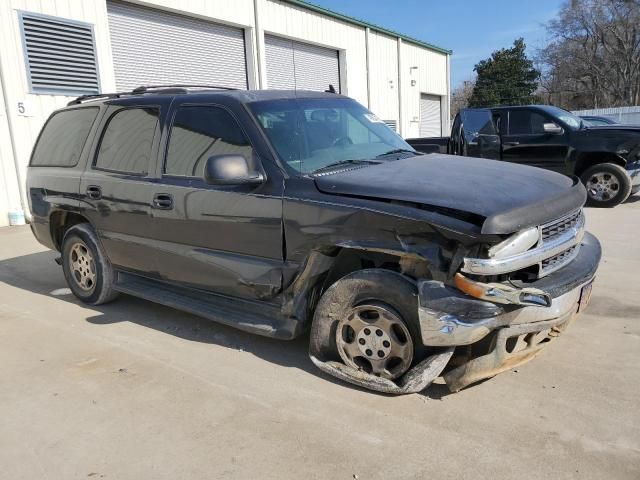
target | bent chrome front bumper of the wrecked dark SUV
[{"x": 448, "y": 317}]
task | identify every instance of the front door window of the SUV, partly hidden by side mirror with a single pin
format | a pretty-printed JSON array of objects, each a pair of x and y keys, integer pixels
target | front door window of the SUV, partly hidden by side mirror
[{"x": 199, "y": 132}]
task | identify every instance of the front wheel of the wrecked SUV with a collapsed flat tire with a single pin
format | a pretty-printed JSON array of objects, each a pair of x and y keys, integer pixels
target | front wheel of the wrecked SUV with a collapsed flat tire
[{"x": 369, "y": 320}]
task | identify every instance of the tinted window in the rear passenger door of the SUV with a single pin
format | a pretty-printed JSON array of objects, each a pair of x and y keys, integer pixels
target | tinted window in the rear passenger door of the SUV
[{"x": 127, "y": 141}]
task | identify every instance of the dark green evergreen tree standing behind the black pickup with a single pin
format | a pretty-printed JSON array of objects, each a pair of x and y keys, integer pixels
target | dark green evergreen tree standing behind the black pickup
[{"x": 508, "y": 77}]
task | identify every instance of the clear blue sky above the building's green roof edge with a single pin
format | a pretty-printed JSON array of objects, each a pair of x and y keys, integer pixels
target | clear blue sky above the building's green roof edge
[{"x": 473, "y": 29}]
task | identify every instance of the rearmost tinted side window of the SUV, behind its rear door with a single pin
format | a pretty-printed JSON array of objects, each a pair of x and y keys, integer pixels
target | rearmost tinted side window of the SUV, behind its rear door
[{"x": 63, "y": 138}]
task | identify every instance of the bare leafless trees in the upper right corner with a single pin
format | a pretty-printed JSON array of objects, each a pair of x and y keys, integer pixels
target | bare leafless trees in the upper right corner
[{"x": 593, "y": 58}]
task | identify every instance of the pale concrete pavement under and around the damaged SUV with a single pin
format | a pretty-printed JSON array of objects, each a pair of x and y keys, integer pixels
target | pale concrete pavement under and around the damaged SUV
[{"x": 133, "y": 390}]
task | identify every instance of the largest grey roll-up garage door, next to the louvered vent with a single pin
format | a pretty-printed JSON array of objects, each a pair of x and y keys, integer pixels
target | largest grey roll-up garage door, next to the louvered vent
[{"x": 151, "y": 47}]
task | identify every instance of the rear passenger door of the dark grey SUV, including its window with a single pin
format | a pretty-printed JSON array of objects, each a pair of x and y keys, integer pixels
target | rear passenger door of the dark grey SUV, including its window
[{"x": 116, "y": 188}]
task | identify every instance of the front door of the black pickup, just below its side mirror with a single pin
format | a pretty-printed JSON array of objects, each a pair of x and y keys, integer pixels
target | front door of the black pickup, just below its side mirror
[{"x": 525, "y": 140}]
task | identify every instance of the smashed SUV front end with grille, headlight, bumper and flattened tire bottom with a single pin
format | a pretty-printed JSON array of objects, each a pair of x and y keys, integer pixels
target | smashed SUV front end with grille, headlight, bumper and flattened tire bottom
[{"x": 476, "y": 325}]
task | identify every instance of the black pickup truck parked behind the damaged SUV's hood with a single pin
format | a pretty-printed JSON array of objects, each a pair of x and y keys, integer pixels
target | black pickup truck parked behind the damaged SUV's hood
[{"x": 606, "y": 158}]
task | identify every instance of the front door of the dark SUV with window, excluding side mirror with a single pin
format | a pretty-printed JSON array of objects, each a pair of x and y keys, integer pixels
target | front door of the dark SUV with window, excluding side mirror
[{"x": 224, "y": 239}]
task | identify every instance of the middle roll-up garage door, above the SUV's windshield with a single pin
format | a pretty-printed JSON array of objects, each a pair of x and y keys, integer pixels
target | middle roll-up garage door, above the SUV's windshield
[{"x": 296, "y": 65}]
